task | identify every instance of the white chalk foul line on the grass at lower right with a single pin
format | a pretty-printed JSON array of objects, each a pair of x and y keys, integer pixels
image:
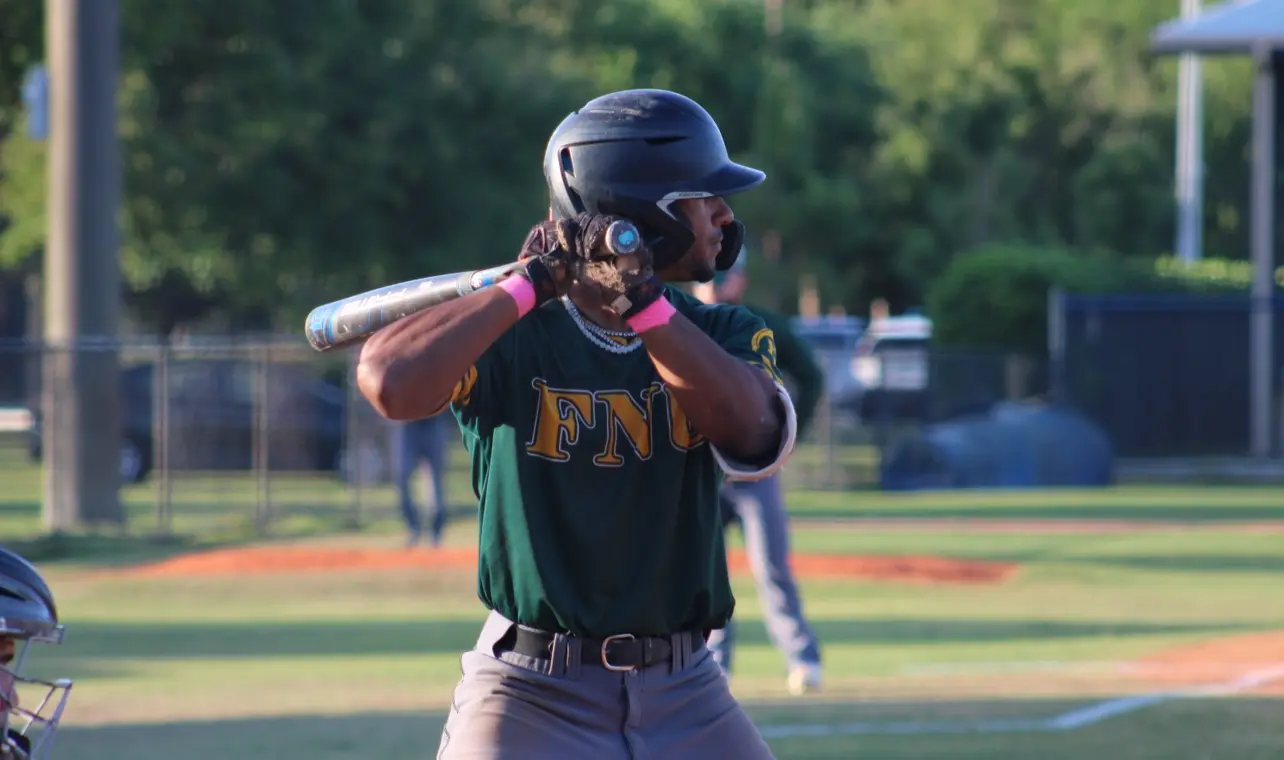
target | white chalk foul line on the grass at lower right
[{"x": 1079, "y": 718}]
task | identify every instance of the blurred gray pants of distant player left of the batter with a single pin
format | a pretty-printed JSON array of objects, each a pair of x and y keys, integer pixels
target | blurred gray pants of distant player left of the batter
[{"x": 413, "y": 444}]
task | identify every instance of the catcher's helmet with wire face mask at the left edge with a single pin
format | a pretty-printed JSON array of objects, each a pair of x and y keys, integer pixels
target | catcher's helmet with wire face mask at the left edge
[{"x": 28, "y": 616}]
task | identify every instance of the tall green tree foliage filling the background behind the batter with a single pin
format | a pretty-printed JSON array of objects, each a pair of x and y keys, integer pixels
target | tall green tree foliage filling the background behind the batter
[{"x": 279, "y": 155}]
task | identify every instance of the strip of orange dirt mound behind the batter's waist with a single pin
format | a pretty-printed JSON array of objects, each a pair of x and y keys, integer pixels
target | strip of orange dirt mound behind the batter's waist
[{"x": 288, "y": 559}]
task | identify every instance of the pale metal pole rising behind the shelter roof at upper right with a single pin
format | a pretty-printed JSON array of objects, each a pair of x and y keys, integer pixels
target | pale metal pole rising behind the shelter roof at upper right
[{"x": 1190, "y": 171}]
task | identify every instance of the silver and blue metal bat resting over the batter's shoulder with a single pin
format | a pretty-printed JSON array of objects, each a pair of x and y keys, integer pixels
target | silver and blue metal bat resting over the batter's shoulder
[{"x": 354, "y": 319}]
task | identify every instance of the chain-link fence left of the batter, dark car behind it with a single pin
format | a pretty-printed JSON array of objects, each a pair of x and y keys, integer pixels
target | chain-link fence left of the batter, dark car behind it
[{"x": 216, "y": 435}]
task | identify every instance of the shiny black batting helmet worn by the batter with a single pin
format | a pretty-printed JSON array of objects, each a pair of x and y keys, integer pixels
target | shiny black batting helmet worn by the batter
[{"x": 634, "y": 153}]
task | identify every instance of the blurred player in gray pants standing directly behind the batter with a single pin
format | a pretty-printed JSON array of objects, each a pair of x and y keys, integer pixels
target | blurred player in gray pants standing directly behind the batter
[{"x": 759, "y": 506}]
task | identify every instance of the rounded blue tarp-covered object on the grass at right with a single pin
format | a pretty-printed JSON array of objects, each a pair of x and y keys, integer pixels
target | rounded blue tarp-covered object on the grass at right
[{"x": 1015, "y": 446}]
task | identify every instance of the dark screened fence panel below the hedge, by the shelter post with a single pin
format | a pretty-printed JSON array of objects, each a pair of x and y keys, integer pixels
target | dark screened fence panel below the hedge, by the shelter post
[{"x": 1169, "y": 376}]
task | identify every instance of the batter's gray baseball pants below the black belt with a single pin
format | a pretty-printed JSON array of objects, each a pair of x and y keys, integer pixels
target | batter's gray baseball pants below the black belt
[{"x": 512, "y": 707}]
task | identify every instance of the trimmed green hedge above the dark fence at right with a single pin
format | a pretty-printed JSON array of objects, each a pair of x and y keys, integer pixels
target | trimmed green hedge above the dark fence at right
[{"x": 997, "y": 297}]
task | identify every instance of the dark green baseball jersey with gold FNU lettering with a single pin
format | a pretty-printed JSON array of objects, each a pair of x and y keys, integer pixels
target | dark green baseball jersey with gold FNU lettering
[{"x": 599, "y": 500}]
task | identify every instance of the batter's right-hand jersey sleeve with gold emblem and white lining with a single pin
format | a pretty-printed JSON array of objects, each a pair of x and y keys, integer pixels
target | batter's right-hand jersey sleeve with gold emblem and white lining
[{"x": 747, "y": 337}]
